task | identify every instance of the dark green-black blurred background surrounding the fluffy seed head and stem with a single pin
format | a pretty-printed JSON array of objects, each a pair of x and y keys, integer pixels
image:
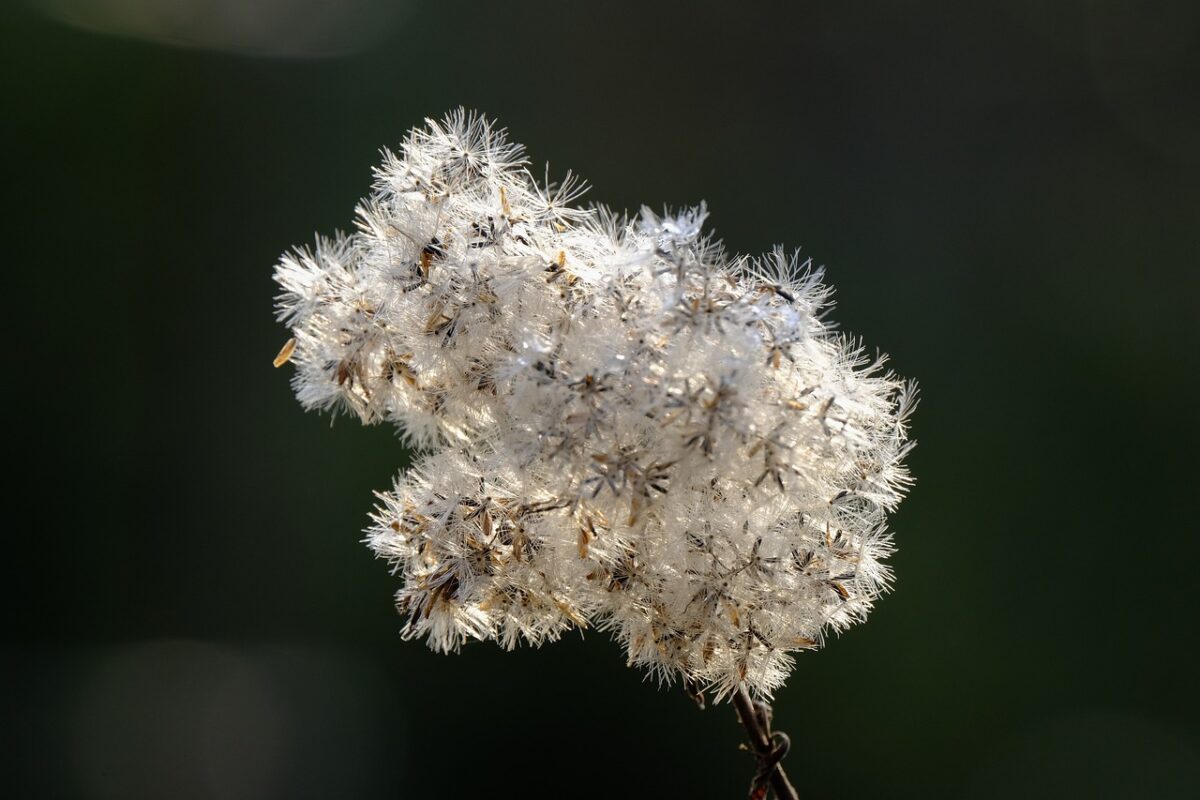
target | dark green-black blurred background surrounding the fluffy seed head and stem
[{"x": 1006, "y": 196}]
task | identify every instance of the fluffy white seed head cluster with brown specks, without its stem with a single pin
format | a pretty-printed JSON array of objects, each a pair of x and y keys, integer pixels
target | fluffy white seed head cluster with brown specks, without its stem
[{"x": 619, "y": 425}]
